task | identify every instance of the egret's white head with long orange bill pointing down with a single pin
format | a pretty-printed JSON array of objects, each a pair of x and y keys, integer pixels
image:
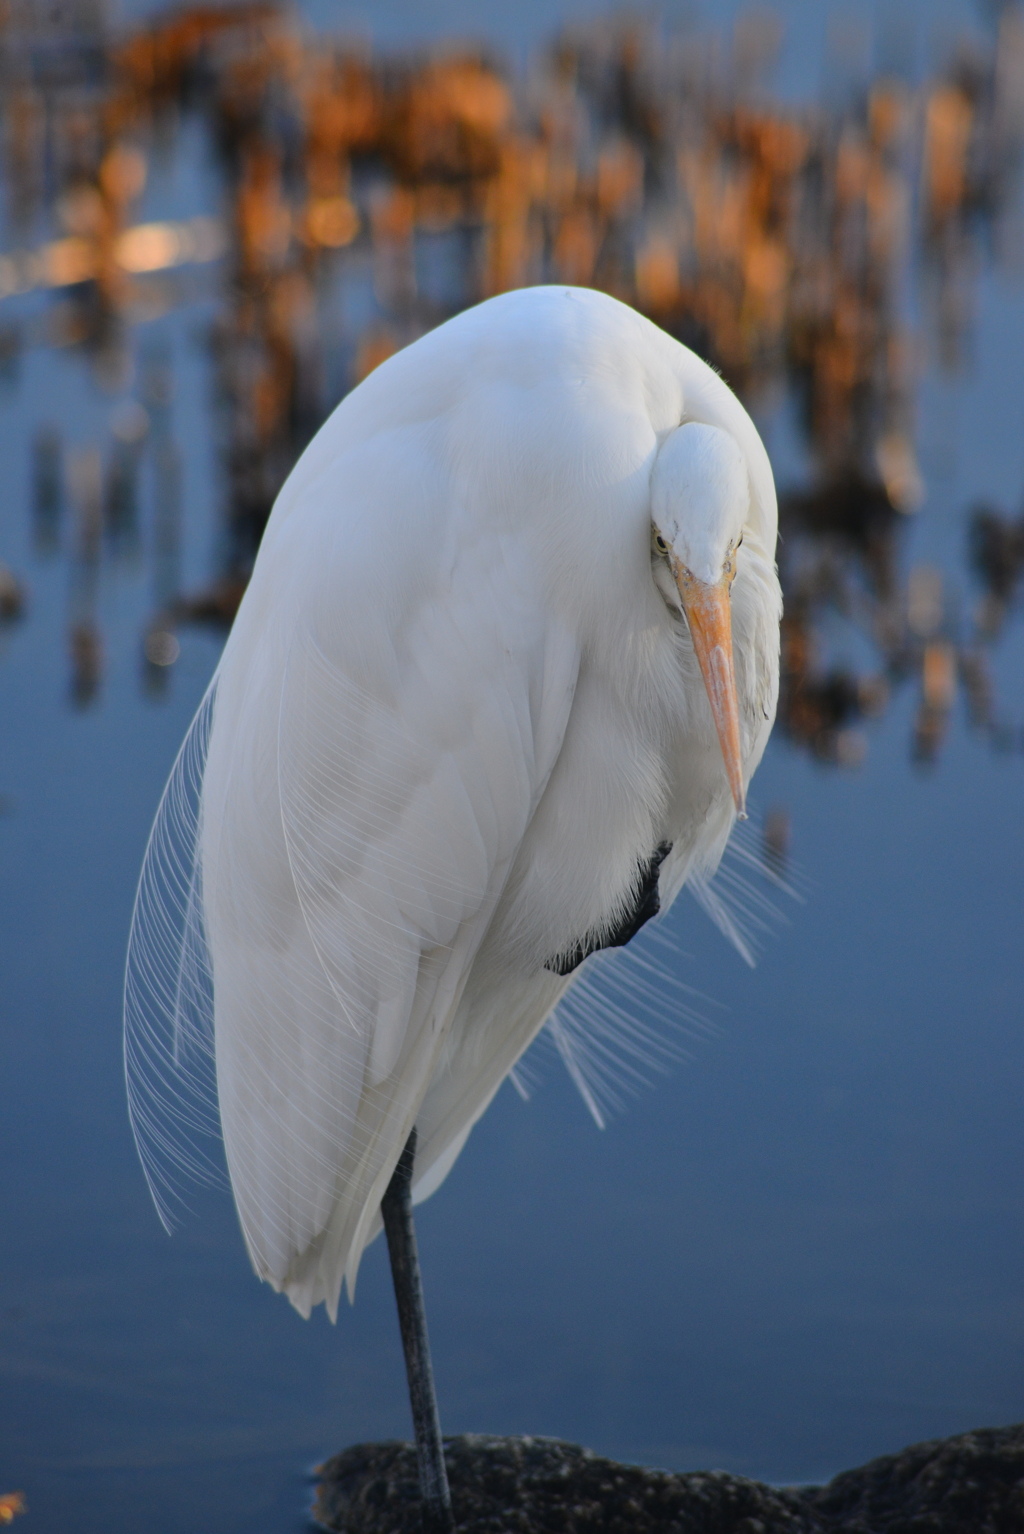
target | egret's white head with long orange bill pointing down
[{"x": 700, "y": 505}]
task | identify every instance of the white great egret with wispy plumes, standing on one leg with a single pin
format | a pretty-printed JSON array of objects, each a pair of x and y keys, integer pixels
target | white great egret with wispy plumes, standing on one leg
[{"x": 507, "y": 663}]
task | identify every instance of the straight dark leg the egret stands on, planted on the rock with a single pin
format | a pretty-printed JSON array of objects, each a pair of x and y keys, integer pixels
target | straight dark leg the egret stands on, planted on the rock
[{"x": 396, "y": 1208}]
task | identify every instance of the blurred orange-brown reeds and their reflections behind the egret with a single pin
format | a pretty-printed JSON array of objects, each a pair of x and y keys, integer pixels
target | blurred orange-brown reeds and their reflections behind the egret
[{"x": 366, "y": 200}]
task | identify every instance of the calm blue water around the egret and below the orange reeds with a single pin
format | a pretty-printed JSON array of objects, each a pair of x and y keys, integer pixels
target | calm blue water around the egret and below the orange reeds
[{"x": 799, "y": 1249}]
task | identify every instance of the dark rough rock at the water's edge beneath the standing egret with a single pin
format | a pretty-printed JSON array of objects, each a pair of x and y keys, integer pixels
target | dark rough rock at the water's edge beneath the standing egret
[{"x": 973, "y": 1484}]
